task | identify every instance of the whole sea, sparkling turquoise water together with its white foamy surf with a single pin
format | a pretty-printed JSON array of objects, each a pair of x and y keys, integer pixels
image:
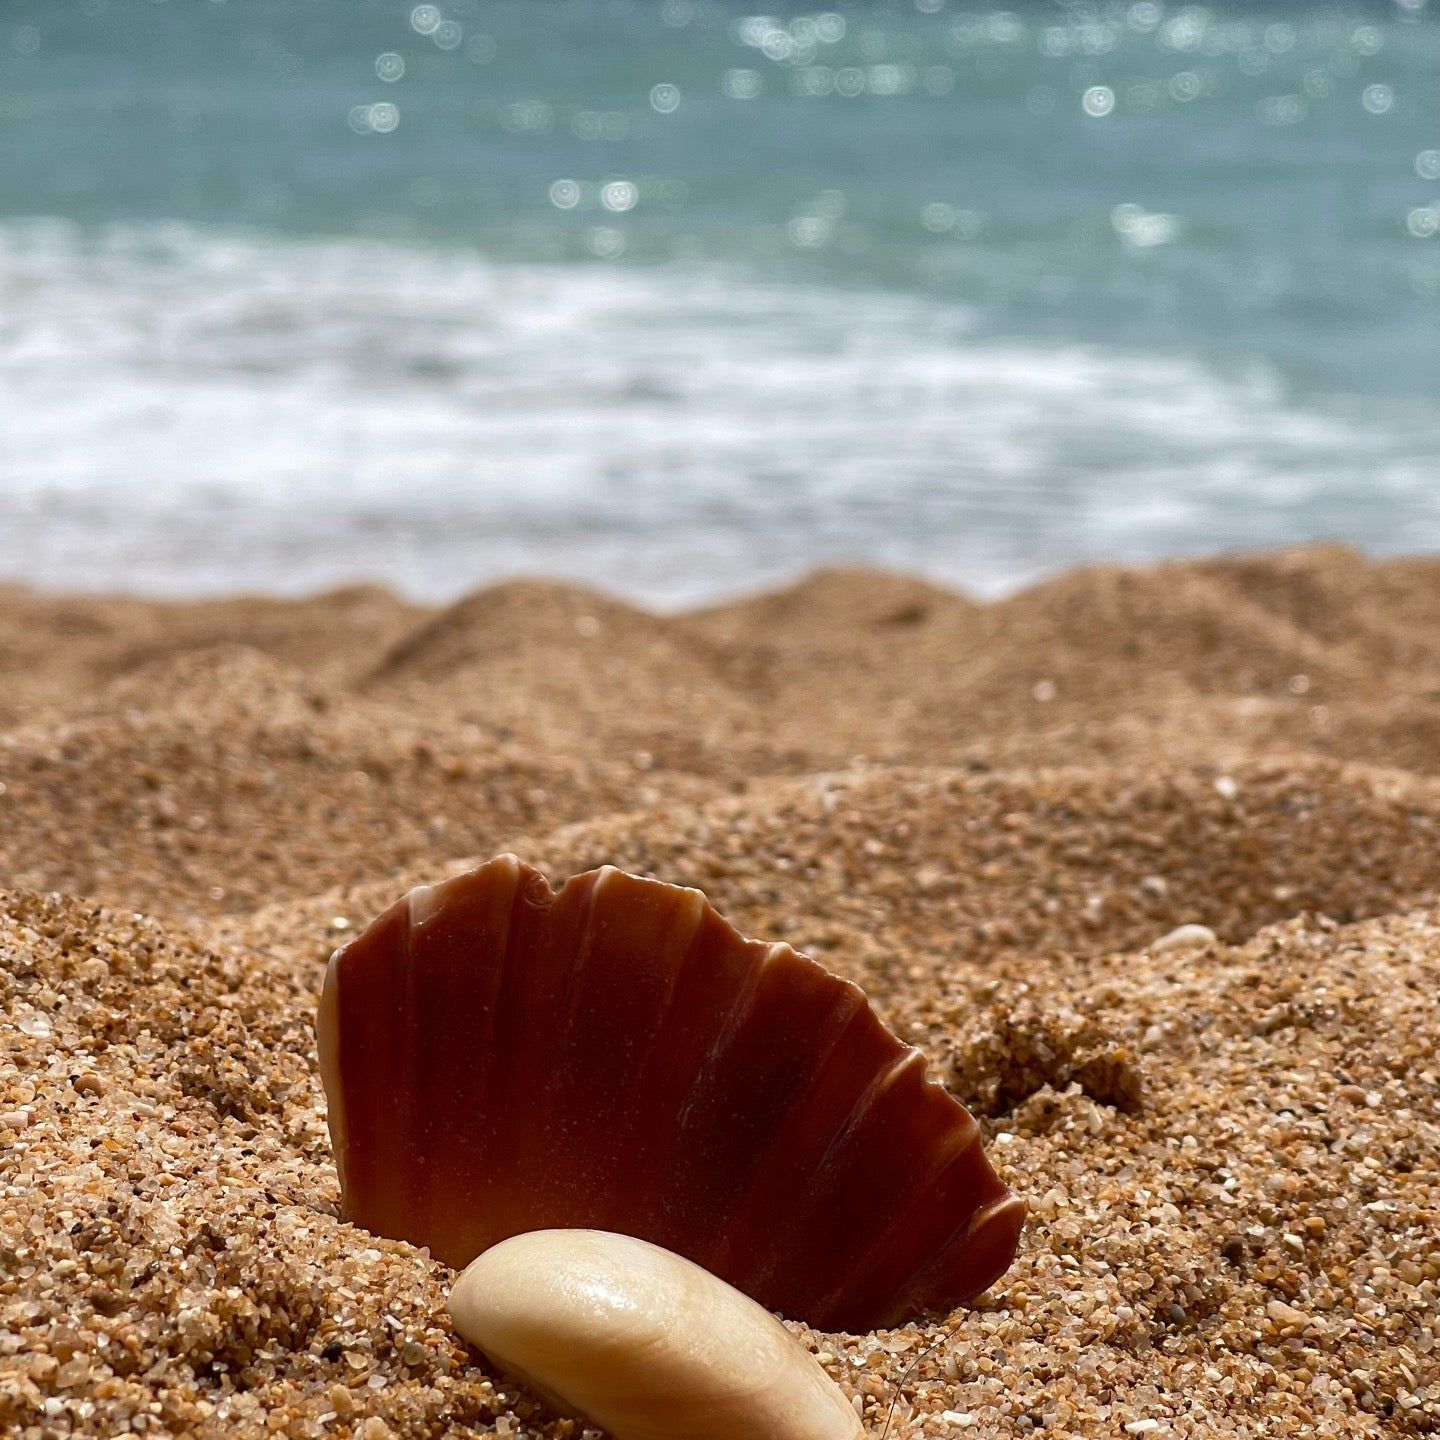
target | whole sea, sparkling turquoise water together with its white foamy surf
[{"x": 679, "y": 297}]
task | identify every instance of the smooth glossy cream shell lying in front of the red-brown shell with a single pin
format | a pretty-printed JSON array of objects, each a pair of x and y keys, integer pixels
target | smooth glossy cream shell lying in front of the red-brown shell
[{"x": 643, "y": 1343}]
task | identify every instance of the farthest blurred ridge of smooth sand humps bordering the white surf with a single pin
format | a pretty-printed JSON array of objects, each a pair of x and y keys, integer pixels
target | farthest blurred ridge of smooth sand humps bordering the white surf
[{"x": 1288, "y": 652}]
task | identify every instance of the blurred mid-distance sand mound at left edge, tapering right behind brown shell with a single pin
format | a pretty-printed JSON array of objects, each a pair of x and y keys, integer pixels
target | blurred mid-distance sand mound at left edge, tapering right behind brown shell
[{"x": 218, "y": 781}]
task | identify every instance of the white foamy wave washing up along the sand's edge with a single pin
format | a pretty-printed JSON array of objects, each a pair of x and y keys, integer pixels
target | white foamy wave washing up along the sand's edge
[{"x": 201, "y": 411}]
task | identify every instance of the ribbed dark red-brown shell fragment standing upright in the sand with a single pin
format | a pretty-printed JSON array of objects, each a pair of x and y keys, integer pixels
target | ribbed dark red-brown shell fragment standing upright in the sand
[{"x": 500, "y": 1058}]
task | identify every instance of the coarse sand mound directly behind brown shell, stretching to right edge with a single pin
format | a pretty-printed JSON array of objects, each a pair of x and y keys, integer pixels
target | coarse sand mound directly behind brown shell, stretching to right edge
[{"x": 914, "y": 875}]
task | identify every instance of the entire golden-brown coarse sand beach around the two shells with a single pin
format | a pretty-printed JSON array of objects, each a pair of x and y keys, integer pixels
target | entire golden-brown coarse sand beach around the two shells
[{"x": 993, "y": 817}]
